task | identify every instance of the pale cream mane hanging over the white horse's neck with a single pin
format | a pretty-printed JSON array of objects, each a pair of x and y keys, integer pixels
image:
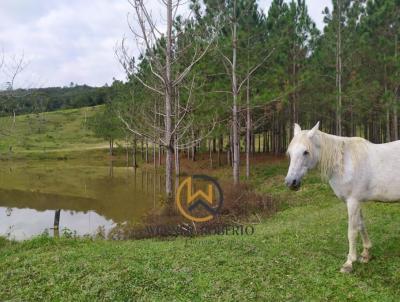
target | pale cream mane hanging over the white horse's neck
[{"x": 332, "y": 153}]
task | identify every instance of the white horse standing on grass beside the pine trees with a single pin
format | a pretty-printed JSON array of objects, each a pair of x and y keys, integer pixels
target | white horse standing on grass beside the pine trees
[{"x": 357, "y": 170}]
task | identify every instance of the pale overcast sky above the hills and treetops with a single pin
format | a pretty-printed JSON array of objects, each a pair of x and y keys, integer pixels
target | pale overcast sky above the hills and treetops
[{"x": 73, "y": 40}]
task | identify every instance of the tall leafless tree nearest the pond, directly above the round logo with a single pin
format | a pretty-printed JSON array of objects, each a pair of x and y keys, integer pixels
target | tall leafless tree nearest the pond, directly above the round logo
[{"x": 161, "y": 58}]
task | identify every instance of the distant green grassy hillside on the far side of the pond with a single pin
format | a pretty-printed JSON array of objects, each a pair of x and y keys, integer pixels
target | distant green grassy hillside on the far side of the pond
[{"x": 58, "y": 130}]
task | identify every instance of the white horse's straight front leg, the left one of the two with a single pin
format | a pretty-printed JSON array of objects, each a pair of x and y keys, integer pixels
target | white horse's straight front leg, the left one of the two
[{"x": 353, "y": 211}]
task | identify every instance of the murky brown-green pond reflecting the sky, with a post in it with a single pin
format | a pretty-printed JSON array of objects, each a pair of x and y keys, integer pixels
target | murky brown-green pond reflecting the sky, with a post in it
[{"x": 39, "y": 196}]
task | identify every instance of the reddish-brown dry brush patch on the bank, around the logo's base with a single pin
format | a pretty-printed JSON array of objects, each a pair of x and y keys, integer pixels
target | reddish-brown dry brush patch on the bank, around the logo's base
[{"x": 241, "y": 207}]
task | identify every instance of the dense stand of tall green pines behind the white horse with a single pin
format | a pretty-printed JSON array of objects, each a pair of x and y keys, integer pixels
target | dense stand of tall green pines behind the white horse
[{"x": 234, "y": 79}]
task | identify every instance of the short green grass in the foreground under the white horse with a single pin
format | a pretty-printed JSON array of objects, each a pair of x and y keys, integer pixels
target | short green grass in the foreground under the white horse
[{"x": 295, "y": 255}]
